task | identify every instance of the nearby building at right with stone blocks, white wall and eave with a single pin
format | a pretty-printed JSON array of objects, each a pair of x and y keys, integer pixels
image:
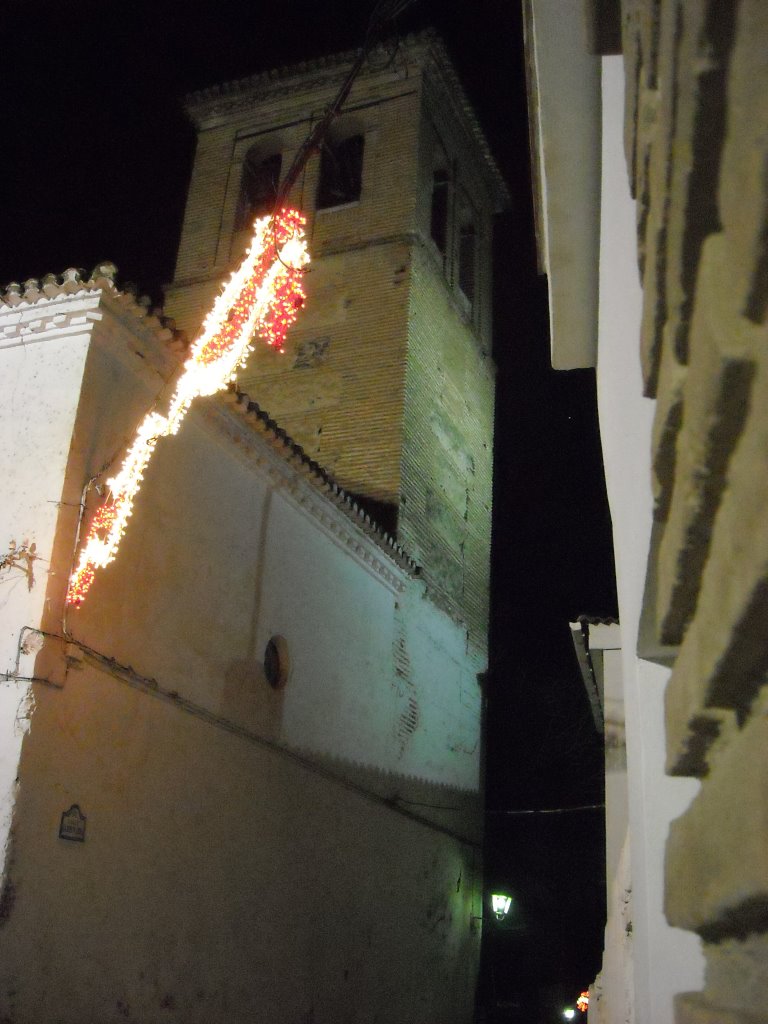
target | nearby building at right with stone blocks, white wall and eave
[{"x": 651, "y": 152}]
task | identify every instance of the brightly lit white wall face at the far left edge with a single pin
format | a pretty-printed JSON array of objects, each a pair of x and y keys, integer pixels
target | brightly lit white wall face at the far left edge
[{"x": 41, "y": 373}]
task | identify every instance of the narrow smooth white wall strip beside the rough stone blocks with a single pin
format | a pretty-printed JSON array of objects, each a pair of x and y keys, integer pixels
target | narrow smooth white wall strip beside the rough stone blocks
[{"x": 666, "y": 960}]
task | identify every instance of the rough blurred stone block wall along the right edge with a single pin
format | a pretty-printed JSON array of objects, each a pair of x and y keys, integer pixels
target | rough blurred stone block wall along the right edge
[{"x": 698, "y": 152}]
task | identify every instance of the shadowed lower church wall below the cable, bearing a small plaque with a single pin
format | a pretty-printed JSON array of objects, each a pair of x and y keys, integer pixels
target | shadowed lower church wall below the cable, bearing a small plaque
[{"x": 220, "y": 882}]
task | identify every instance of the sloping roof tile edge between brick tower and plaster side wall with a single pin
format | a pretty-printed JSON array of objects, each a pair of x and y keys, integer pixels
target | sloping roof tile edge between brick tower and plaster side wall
[{"x": 321, "y": 478}]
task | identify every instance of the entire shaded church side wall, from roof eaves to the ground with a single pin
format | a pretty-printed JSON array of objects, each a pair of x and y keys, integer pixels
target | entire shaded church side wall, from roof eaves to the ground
[{"x": 250, "y": 855}]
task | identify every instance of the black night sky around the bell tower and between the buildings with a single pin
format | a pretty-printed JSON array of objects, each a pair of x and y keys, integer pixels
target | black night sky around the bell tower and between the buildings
[{"x": 100, "y": 156}]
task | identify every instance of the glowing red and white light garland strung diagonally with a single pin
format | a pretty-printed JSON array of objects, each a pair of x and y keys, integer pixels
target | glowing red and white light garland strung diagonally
[{"x": 264, "y": 296}]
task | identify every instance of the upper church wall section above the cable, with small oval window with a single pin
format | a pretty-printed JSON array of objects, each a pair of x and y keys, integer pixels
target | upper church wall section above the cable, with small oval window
[{"x": 222, "y": 554}]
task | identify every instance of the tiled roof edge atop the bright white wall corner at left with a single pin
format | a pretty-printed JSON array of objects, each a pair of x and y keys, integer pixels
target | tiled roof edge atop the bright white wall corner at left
[{"x": 73, "y": 281}]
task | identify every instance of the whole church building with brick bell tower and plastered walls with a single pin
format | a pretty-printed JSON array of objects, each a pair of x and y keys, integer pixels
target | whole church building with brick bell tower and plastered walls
[{"x": 244, "y": 781}]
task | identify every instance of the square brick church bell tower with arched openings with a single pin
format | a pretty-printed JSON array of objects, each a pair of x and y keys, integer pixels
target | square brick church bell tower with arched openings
[{"x": 388, "y": 379}]
